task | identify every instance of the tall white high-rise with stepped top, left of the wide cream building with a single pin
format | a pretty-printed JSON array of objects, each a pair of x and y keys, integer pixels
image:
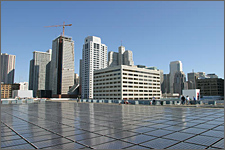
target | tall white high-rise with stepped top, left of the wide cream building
[{"x": 94, "y": 57}]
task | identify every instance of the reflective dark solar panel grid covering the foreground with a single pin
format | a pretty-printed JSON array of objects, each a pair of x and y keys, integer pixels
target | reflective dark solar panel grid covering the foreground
[{"x": 60, "y": 125}]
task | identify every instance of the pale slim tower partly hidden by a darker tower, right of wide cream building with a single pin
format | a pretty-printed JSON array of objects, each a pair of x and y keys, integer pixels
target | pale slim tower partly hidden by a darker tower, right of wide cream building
[{"x": 175, "y": 66}]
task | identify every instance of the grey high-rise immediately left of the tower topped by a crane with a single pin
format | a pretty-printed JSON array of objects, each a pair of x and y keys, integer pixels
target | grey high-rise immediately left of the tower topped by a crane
[{"x": 40, "y": 71}]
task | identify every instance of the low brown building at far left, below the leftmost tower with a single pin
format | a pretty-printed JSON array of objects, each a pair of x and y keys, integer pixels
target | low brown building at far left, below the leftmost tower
[{"x": 6, "y": 90}]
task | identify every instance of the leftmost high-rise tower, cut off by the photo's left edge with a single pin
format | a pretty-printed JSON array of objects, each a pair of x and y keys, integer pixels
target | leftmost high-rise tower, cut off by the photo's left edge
[{"x": 7, "y": 68}]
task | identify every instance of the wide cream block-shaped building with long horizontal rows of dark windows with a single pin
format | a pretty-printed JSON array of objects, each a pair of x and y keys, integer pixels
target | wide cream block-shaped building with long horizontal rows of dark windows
[{"x": 126, "y": 82}]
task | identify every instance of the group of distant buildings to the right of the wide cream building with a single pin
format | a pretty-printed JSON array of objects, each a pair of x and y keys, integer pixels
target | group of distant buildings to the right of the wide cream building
[{"x": 175, "y": 82}]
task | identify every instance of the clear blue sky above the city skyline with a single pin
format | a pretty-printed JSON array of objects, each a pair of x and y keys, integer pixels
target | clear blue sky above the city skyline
[{"x": 156, "y": 32}]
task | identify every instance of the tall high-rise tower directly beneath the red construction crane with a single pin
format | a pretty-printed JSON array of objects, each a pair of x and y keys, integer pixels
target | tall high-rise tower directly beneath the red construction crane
[{"x": 62, "y": 65}]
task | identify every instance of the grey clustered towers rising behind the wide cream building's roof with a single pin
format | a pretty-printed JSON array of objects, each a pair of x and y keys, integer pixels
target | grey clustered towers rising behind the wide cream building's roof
[{"x": 123, "y": 57}]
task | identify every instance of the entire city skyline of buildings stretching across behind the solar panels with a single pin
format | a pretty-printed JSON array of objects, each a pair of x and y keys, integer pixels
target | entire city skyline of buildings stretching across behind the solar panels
[{"x": 102, "y": 75}]
